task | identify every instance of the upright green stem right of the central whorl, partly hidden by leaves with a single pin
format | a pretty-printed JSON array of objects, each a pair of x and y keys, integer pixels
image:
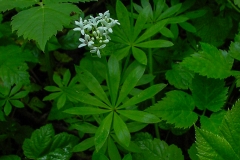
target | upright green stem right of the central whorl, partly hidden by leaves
[{"x": 150, "y": 65}]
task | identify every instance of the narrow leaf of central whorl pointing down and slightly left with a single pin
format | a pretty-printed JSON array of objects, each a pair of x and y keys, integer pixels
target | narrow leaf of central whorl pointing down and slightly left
[{"x": 103, "y": 131}]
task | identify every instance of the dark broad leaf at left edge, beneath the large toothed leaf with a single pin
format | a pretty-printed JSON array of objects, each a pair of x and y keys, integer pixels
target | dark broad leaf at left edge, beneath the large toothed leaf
[{"x": 14, "y": 70}]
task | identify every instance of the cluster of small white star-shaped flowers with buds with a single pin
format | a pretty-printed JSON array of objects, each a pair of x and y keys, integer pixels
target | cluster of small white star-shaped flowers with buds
[{"x": 95, "y": 31}]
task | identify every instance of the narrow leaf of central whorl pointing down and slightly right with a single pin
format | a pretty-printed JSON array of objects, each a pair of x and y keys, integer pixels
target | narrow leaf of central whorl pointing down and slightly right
[{"x": 121, "y": 130}]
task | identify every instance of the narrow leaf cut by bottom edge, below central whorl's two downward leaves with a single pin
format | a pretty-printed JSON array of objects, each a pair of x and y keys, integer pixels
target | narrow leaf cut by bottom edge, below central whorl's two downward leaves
[{"x": 113, "y": 150}]
